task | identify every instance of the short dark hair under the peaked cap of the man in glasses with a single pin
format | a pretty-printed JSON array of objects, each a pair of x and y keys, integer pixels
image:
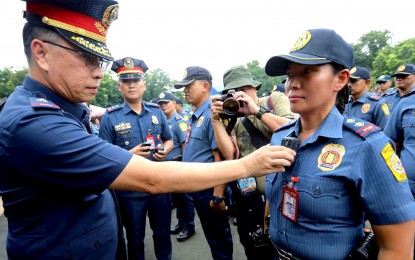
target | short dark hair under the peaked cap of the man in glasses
[{"x": 31, "y": 32}]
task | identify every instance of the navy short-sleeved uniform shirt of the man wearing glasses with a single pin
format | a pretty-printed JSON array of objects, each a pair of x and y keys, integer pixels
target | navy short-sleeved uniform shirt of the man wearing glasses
[{"x": 54, "y": 177}]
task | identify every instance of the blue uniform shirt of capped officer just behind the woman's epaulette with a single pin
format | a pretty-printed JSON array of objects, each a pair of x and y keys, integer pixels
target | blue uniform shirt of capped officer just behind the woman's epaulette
[{"x": 370, "y": 108}]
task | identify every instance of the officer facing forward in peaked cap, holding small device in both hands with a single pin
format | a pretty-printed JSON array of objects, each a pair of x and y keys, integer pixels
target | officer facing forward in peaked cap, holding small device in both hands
[{"x": 130, "y": 126}]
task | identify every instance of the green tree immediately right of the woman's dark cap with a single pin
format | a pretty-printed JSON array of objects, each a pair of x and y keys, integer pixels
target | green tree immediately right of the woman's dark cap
[{"x": 368, "y": 46}]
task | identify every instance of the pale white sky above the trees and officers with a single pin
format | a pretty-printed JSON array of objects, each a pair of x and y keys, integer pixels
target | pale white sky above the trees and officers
[{"x": 220, "y": 34}]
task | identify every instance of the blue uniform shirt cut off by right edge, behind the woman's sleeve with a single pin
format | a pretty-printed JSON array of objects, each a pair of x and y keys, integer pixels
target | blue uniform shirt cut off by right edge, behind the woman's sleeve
[{"x": 401, "y": 129}]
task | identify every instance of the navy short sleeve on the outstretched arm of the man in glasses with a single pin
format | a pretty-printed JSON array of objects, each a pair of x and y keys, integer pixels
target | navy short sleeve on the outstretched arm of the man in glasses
[{"x": 54, "y": 150}]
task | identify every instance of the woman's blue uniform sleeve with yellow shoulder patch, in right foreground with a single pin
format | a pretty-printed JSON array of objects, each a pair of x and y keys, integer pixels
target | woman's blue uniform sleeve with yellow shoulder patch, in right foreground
[{"x": 385, "y": 191}]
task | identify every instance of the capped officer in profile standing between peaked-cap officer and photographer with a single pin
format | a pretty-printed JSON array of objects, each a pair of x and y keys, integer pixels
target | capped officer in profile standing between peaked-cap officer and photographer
[{"x": 200, "y": 146}]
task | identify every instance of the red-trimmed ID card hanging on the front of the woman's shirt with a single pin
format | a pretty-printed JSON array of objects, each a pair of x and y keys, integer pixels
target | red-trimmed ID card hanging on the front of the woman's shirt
[{"x": 290, "y": 200}]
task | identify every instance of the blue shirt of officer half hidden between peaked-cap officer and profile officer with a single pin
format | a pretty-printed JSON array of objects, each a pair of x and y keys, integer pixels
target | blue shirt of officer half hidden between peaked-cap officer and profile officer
[{"x": 178, "y": 128}]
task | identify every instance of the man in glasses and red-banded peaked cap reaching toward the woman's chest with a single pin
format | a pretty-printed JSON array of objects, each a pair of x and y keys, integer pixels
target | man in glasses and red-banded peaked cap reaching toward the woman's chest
[{"x": 54, "y": 175}]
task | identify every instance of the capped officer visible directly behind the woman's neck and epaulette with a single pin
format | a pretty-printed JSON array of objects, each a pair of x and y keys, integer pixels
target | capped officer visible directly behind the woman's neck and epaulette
[{"x": 362, "y": 104}]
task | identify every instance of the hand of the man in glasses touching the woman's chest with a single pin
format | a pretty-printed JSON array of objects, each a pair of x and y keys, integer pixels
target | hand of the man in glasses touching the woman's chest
[{"x": 268, "y": 159}]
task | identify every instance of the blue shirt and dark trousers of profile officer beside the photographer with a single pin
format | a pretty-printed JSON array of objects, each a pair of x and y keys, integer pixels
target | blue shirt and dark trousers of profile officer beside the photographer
[{"x": 199, "y": 148}]
